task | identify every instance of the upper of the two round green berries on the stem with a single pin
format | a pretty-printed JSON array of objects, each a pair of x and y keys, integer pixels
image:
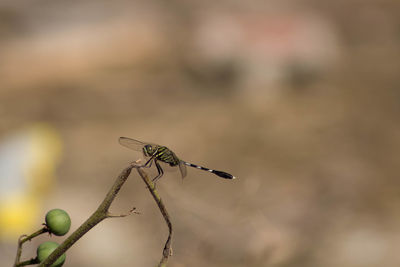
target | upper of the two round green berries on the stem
[{"x": 58, "y": 222}]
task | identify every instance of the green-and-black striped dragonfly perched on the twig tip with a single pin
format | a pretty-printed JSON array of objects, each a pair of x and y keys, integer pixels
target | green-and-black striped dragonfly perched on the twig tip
[{"x": 157, "y": 153}]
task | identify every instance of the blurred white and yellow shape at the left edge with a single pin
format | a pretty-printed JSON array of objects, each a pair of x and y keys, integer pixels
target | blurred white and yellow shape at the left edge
[{"x": 27, "y": 162}]
